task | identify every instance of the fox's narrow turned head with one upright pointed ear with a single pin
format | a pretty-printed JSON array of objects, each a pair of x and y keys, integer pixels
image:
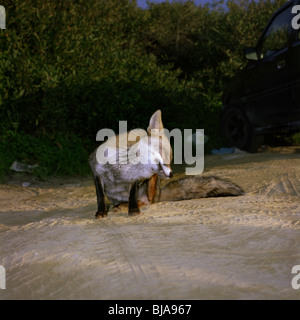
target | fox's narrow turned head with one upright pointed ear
[{"x": 160, "y": 151}]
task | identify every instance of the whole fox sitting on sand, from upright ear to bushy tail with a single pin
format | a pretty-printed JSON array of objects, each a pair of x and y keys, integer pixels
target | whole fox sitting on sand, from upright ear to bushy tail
[{"x": 137, "y": 183}]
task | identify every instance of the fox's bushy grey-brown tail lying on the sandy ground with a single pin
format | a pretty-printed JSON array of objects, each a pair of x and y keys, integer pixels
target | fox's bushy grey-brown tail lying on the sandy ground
[{"x": 192, "y": 187}]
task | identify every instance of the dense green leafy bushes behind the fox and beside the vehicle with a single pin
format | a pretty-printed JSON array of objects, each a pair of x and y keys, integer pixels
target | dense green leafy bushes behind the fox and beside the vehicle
[{"x": 70, "y": 68}]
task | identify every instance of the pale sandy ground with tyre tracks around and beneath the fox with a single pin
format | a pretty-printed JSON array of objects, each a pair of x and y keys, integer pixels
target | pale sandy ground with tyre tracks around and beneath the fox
[{"x": 217, "y": 248}]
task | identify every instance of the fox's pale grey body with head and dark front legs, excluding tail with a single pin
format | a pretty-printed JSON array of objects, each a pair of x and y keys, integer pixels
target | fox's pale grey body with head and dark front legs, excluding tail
[{"x": 123, "y": 180}]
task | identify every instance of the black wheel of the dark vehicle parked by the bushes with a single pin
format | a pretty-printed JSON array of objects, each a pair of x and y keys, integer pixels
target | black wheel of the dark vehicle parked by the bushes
[{"x": 238, "y": 131}]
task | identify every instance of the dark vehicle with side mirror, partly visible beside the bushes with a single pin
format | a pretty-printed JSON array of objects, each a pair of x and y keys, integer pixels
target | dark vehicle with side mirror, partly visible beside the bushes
[{"x": 264, "y": 97}]
